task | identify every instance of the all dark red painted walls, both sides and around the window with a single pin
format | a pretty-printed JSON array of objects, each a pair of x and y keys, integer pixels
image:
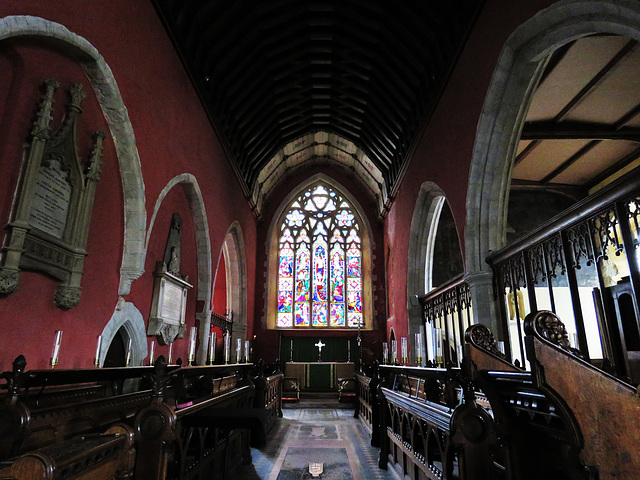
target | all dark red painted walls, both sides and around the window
[{"x": 174, "y": 136}]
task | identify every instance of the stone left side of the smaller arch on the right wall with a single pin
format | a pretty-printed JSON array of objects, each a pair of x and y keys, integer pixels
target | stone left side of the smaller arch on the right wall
[{"x": 422, "y": 236}]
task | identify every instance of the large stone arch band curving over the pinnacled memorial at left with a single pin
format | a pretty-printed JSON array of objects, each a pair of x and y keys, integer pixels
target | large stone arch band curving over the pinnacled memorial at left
[{"x": 104, "y": 84}]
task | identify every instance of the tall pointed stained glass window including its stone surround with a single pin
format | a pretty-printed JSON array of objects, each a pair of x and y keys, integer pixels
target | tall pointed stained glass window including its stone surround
[{"x": 319, "y": 267}]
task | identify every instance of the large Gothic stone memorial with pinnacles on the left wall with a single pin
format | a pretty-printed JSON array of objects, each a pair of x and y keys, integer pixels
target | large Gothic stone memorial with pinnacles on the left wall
[{"x": 49, "y": 223}]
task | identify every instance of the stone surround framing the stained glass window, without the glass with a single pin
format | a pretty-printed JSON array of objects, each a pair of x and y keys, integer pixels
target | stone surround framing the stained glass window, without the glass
[{"x": 269, "y": 321}]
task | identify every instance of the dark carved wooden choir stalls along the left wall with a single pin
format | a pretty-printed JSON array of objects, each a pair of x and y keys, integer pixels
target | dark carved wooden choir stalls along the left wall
[{"x": 58, "y": 416}]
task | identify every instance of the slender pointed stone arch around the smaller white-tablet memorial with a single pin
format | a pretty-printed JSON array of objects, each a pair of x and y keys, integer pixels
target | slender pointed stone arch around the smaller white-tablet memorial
[{"x": 191, "y": 189}]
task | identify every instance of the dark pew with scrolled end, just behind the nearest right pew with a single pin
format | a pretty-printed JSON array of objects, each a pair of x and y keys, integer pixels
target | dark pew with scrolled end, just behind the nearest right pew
[{"x": 530, "y": 424}]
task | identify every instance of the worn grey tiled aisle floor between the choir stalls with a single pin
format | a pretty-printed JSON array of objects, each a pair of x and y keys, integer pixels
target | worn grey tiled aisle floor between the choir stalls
[{"x": 316, "y": 433}]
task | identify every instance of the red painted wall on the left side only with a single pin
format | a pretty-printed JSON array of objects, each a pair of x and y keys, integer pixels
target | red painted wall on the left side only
[{"x": 173, "y": 136}]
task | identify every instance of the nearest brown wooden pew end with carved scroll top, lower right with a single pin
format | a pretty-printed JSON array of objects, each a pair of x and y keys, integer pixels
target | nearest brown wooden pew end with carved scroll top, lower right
[{"x": 606, "y": 410}]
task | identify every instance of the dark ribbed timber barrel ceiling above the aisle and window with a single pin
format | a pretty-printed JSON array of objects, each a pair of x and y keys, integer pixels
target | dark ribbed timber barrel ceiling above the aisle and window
[{"x": 361, "y": 73}]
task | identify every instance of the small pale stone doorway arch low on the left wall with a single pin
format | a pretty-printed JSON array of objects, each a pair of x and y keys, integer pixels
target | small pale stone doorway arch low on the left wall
[{"x": 126, "y": 315}]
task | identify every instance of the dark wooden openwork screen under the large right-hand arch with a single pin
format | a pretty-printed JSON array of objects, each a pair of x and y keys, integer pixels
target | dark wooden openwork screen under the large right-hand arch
[{"x": 583, "y": 265}]
